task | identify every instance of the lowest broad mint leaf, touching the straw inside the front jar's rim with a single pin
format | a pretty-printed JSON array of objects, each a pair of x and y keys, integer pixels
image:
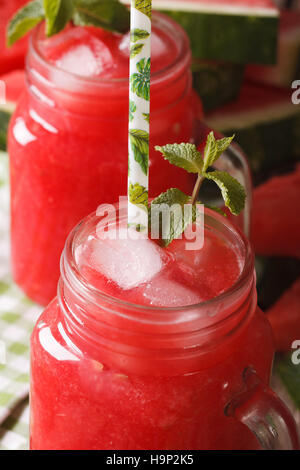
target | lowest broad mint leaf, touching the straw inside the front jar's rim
[{"x": 171, "y": 225}]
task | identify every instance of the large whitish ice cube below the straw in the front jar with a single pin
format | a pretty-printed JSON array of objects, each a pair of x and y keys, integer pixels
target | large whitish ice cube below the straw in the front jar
[{"x": 126, "y": 261}]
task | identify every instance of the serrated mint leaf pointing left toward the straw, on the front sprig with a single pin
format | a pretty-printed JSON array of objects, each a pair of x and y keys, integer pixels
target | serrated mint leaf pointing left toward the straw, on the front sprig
[{"x": 185, "y": 156}]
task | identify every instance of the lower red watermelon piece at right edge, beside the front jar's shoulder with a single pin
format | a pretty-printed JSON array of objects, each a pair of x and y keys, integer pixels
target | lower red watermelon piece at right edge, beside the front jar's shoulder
[{"x": 284, "y": 317}]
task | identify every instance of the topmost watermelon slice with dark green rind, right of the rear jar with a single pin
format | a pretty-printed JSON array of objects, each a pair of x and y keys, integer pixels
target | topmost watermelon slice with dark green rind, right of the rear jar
[{"x": 240, "y": 31}]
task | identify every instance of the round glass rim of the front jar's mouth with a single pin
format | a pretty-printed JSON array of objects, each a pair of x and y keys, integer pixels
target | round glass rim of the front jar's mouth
[{"x": 94, "y": 295}]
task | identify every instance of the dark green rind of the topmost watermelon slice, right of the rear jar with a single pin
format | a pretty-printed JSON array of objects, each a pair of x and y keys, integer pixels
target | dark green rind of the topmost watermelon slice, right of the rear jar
[{"x": 236, "y": 38}]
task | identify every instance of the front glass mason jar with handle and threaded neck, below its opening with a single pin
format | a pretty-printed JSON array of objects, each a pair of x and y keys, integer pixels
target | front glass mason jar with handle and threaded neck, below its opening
[{"x": 107, "y": 374}]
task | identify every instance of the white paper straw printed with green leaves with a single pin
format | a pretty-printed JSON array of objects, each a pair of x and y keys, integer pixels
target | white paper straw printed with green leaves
[{"x": 139, "y": 113}]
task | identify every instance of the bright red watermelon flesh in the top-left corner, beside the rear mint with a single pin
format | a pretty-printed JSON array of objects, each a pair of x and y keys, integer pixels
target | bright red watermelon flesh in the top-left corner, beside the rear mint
[{"x": 13, "y": 57}]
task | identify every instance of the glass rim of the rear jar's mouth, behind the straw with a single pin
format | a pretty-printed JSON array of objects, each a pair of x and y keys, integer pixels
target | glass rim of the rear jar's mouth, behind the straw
[{"x": 182, "y": 59}]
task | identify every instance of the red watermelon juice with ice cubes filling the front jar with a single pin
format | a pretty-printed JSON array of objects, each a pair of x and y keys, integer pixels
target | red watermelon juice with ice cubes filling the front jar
[{"x": 145, "y": 346}]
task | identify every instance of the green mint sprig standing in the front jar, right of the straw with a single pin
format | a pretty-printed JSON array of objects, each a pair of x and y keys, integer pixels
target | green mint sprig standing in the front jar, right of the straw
[{"x": 187, "y": 157}]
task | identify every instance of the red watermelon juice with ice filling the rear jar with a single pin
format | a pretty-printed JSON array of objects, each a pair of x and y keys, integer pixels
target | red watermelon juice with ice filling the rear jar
[{"x": 68, "y": 138}]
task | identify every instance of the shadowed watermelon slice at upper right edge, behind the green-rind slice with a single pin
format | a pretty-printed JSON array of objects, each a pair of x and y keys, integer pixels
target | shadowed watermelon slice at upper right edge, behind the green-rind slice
[{"x": 287, "y": 68}]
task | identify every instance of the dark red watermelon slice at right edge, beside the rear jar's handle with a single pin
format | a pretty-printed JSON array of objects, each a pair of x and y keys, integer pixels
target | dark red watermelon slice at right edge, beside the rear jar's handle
[{"x": 275, "y": 216}]
